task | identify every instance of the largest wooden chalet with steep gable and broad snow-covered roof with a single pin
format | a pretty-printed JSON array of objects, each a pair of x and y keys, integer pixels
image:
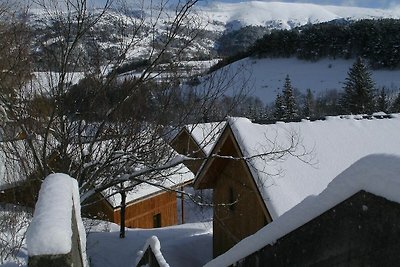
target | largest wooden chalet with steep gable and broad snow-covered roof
[{"x": 253, "y": 187}]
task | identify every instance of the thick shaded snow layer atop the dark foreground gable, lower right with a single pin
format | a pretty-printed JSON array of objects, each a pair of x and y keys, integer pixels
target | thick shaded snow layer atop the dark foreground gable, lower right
[{"x": 377, "y": 174}]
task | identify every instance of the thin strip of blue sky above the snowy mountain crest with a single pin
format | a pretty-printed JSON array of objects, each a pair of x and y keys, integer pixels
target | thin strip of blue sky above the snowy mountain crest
[{"x": 360, "y": 3}]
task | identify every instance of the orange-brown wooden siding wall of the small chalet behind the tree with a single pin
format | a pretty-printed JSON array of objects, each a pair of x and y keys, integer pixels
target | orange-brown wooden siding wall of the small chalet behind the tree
[{"x": 140, "y": 214}]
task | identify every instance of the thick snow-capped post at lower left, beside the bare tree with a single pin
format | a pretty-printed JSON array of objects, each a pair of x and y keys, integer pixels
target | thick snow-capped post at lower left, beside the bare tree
[{"x": 56, "y": 235}]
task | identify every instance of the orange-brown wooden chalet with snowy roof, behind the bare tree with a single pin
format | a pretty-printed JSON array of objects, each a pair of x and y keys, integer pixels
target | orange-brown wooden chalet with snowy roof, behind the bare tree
[{"x": 147, "y": 206}]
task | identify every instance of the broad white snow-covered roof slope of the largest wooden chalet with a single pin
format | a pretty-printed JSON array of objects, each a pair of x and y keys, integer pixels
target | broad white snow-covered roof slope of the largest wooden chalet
[{"x": 329, "y": 147}]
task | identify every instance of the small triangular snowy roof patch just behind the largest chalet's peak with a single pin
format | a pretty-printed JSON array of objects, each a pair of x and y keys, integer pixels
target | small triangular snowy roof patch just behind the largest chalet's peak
[{"x": 206, "y": 134}]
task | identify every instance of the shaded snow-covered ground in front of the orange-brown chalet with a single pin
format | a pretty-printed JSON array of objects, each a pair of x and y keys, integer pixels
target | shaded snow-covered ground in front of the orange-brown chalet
[{"x": 181, "y": 245}]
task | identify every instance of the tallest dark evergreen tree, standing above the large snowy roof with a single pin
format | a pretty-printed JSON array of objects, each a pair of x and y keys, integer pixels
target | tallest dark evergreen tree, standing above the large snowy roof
[{"x": 358, "y": 97}]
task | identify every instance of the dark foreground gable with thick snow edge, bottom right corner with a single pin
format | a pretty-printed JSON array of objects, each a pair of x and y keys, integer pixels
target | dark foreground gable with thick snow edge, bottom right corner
[{"x": 355, "y": 221}]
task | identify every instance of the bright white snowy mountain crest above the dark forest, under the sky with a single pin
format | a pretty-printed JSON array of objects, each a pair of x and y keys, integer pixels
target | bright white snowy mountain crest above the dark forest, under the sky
[{"x": 285, "y": 15}]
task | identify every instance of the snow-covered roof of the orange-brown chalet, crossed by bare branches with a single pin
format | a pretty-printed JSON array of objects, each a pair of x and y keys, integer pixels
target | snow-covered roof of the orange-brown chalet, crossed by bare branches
[{"x": 170, "y": 179}]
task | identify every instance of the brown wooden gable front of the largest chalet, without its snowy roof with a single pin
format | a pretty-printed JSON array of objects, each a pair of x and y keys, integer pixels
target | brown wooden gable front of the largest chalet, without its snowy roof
[{"x": 239, "y": 210}]
